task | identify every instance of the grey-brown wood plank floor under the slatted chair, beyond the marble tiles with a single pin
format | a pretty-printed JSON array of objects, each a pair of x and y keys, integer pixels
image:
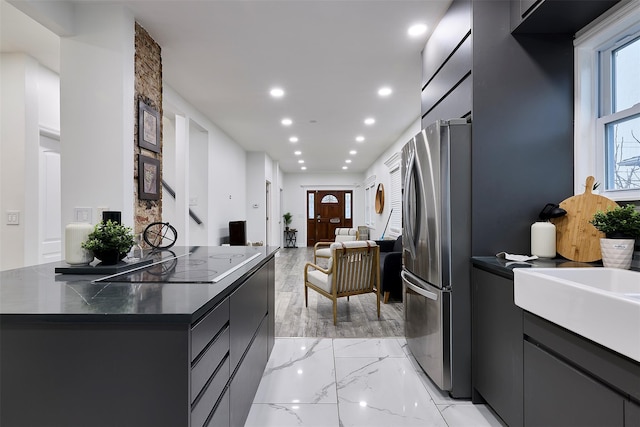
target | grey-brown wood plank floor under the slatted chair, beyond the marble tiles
[{"x": 356, "y": 317}]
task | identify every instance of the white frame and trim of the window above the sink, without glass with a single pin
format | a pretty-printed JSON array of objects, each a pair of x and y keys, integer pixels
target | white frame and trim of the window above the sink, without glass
[{"x": 618, "y": 23}]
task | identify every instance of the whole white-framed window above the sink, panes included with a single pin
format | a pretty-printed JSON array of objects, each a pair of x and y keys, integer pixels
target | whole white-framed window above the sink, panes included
[{"x": 607, "y": 135}]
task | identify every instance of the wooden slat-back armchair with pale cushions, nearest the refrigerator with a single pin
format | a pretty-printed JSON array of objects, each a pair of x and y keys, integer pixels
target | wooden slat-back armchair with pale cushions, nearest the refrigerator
[{"x": 353, "y": 270}]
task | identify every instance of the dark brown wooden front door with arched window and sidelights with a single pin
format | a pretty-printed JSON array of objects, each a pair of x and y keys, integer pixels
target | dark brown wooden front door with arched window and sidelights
[{"x": 326, "y": 211}]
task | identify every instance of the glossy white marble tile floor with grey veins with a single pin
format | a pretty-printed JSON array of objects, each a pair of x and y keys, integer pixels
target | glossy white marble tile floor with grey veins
[{"x": 345, "y": 382}]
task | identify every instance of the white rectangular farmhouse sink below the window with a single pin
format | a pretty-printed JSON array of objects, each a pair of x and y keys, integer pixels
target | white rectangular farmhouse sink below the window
[{"x": 601, "y": 304}]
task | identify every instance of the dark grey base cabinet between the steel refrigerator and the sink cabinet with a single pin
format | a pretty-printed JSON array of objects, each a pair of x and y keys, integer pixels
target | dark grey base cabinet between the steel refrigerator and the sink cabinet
[{"x": 497, "y": 351}]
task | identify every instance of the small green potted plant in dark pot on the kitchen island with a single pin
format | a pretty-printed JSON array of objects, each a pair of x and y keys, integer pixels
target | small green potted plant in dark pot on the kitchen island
[{"x": 109, "y": 241}]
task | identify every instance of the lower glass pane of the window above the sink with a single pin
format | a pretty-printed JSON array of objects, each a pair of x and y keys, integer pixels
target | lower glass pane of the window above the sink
[{"x": 622, "y": 167}]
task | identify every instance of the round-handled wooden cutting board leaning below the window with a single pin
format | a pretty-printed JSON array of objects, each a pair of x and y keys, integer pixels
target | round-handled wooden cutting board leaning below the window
[{"x": 576, "y": 238}]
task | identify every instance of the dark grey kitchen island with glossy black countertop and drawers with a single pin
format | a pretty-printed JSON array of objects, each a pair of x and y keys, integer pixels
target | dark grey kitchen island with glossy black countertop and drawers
[{"x": 183, "y": 342}]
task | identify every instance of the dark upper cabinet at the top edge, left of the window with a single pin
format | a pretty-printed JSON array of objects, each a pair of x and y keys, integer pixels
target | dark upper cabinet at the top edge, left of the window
[{"x": 555, "y": 16}]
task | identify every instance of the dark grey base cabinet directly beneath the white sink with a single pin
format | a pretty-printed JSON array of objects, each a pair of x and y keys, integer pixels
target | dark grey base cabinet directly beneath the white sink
[{"x": 572, "y": 381}]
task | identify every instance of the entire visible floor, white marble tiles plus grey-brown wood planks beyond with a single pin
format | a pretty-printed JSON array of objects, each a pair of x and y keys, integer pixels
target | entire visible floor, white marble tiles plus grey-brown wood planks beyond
[{"x": 357, "y": 373}]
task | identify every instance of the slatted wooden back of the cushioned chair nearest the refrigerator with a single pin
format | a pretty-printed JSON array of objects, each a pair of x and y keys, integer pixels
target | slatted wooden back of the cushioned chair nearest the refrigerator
[{"x": 355, "y": 267}]
